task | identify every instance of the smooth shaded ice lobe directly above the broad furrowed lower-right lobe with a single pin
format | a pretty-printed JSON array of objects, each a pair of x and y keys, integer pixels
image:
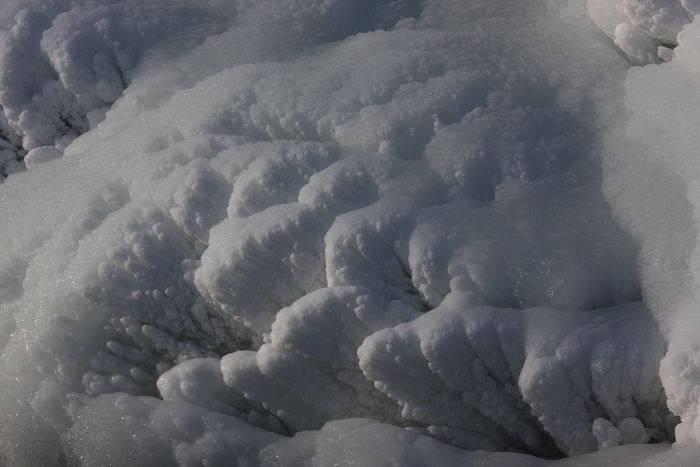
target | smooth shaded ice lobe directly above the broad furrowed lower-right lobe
[{"x": 448, "y": 254}]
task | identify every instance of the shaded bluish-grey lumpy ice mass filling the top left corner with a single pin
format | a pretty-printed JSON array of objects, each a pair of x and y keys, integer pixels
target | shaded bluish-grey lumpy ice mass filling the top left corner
[{"x": 82, "y": 57}]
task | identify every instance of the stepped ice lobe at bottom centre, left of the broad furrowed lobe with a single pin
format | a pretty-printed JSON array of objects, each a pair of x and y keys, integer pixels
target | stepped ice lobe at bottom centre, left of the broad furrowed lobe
[{"x": 315, "y": 341}]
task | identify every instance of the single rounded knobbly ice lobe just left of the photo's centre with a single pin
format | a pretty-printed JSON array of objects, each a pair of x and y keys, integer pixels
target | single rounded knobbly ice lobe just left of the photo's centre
[{"x": 276, "y": 259}]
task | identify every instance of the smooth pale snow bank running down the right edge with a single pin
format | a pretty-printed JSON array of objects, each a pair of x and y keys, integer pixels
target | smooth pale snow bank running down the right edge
[{"x": 660, "y": 210}]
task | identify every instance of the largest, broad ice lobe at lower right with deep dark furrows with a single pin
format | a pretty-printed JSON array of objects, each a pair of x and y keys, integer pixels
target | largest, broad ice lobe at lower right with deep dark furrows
[{"x": 568, "y": 372}]
